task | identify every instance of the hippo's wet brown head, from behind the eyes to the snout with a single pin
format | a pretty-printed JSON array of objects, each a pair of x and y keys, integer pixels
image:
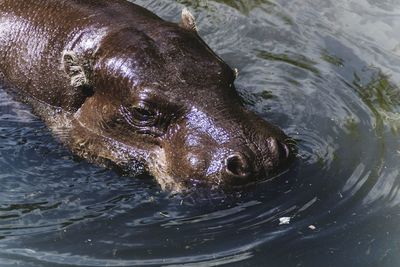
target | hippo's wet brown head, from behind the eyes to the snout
[{"x": 162, "y": 99}]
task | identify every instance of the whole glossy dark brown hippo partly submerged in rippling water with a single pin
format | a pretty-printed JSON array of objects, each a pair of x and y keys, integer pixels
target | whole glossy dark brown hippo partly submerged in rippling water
[{"x": 120, "y": 86}]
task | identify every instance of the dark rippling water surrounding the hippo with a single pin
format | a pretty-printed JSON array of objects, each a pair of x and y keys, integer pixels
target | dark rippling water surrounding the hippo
[{"x": 326, "y": 71}]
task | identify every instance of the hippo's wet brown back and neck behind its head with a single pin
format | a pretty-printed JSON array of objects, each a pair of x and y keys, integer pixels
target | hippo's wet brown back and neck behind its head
[{"x": 34, "y": 34}]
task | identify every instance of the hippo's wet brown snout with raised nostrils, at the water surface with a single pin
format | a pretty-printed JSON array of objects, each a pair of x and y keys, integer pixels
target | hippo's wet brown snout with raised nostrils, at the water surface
[{"x": 232, "y": 149}]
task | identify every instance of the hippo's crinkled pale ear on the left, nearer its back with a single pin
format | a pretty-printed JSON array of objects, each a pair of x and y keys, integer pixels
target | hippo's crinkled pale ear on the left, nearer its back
[{"x": 74, "y": 69}]
